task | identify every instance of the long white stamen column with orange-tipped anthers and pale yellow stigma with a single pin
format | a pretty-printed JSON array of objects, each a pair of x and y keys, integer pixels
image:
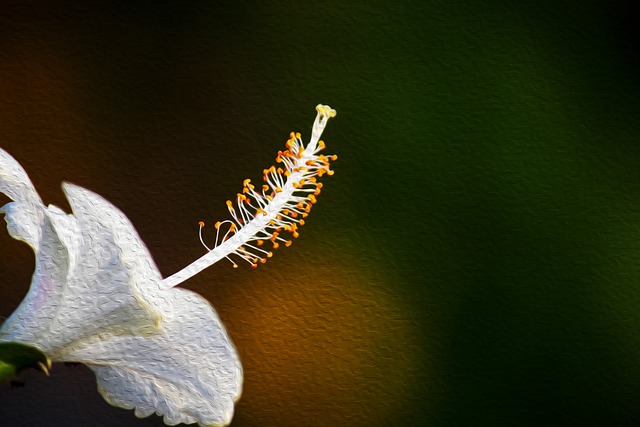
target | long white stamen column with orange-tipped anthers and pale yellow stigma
[{"x": 264, "y": 218}]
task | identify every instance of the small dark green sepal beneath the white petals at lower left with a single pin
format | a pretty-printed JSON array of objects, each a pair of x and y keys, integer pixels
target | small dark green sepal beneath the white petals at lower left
[{"x": 15, "y": 357}]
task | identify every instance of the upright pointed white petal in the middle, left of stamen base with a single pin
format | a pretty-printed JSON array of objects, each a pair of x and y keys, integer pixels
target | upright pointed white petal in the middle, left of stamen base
[{"x": 108, "y": 291}]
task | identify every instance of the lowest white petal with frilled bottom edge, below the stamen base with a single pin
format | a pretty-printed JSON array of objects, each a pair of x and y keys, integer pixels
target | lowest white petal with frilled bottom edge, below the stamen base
[{"x": 190, "y": 372}]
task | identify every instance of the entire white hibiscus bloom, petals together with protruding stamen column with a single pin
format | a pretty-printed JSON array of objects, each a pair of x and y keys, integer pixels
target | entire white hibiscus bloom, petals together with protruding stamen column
[{"x": 97, "y": 297}]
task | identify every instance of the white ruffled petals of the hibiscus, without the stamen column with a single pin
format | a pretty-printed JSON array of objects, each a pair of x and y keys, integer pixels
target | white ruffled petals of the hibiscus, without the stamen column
[{"x": 96, "y": 298}]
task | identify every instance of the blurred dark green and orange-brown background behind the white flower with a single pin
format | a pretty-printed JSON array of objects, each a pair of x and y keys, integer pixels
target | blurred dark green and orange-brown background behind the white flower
[{"x": 475, "y": 260}]
